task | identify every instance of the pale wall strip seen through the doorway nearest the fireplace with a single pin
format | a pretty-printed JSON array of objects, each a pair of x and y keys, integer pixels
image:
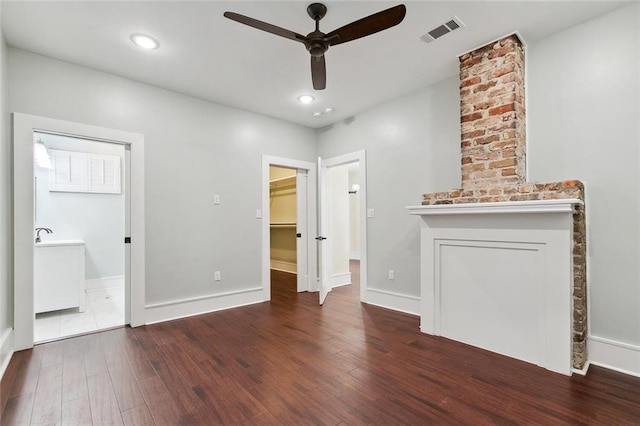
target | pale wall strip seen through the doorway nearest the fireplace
[{"x": 338, "y": 220}]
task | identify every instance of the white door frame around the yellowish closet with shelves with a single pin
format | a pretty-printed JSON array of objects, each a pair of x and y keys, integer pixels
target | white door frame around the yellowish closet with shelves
[{"x": 310, "y": 168}]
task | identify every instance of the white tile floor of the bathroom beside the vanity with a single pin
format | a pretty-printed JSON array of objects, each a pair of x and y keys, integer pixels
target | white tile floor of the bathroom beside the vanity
[{"x": 104, "y": 309}]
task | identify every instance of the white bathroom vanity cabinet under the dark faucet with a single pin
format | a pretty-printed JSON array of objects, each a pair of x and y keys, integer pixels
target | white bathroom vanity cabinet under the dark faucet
[{"x": 59, "y": 275}]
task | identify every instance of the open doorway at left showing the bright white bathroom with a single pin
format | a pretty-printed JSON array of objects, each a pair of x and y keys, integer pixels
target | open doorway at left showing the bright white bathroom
[{"x": 79, "y": 220}]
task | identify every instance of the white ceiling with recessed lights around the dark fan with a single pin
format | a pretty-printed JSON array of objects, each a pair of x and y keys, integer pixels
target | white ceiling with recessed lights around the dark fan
[{"x": 205, "y": 55}]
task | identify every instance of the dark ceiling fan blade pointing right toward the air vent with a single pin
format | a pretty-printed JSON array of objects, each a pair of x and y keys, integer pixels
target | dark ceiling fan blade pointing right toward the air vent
[{"x": 367, "y": 26}]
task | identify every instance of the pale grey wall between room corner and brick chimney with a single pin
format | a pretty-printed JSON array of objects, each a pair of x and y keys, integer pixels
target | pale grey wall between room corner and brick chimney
[{"x": 413, "y": 147}]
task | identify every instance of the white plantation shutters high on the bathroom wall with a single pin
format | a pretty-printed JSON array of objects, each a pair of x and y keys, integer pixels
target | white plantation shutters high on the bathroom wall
[{"x": 82, "y": 172}]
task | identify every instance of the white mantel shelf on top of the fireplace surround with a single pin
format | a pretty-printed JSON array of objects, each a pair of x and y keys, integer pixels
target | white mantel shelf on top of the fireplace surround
[{"x": 503, "y": 207}]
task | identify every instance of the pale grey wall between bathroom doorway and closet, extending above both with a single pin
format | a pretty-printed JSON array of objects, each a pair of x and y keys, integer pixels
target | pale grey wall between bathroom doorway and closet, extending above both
[{"x": 193, "y": 150}]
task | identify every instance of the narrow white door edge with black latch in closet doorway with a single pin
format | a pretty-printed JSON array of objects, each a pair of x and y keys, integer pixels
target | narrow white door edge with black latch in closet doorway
[{"x": 302, "y": 232}]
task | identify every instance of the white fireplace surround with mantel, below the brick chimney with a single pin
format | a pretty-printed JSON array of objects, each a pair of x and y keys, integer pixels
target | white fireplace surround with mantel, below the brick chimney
[{"x": 499, "y": 276}]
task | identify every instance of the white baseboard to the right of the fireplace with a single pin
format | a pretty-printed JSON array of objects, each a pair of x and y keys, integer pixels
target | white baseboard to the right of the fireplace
[{"x": 614, "y": 355}]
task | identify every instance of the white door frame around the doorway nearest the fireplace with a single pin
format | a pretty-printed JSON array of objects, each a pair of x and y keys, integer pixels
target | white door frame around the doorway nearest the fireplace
[{"x": 361, "y": 158}]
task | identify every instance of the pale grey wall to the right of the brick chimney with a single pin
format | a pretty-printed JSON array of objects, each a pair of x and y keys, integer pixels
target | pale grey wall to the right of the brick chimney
[{"x": 583, "y": 103}]
